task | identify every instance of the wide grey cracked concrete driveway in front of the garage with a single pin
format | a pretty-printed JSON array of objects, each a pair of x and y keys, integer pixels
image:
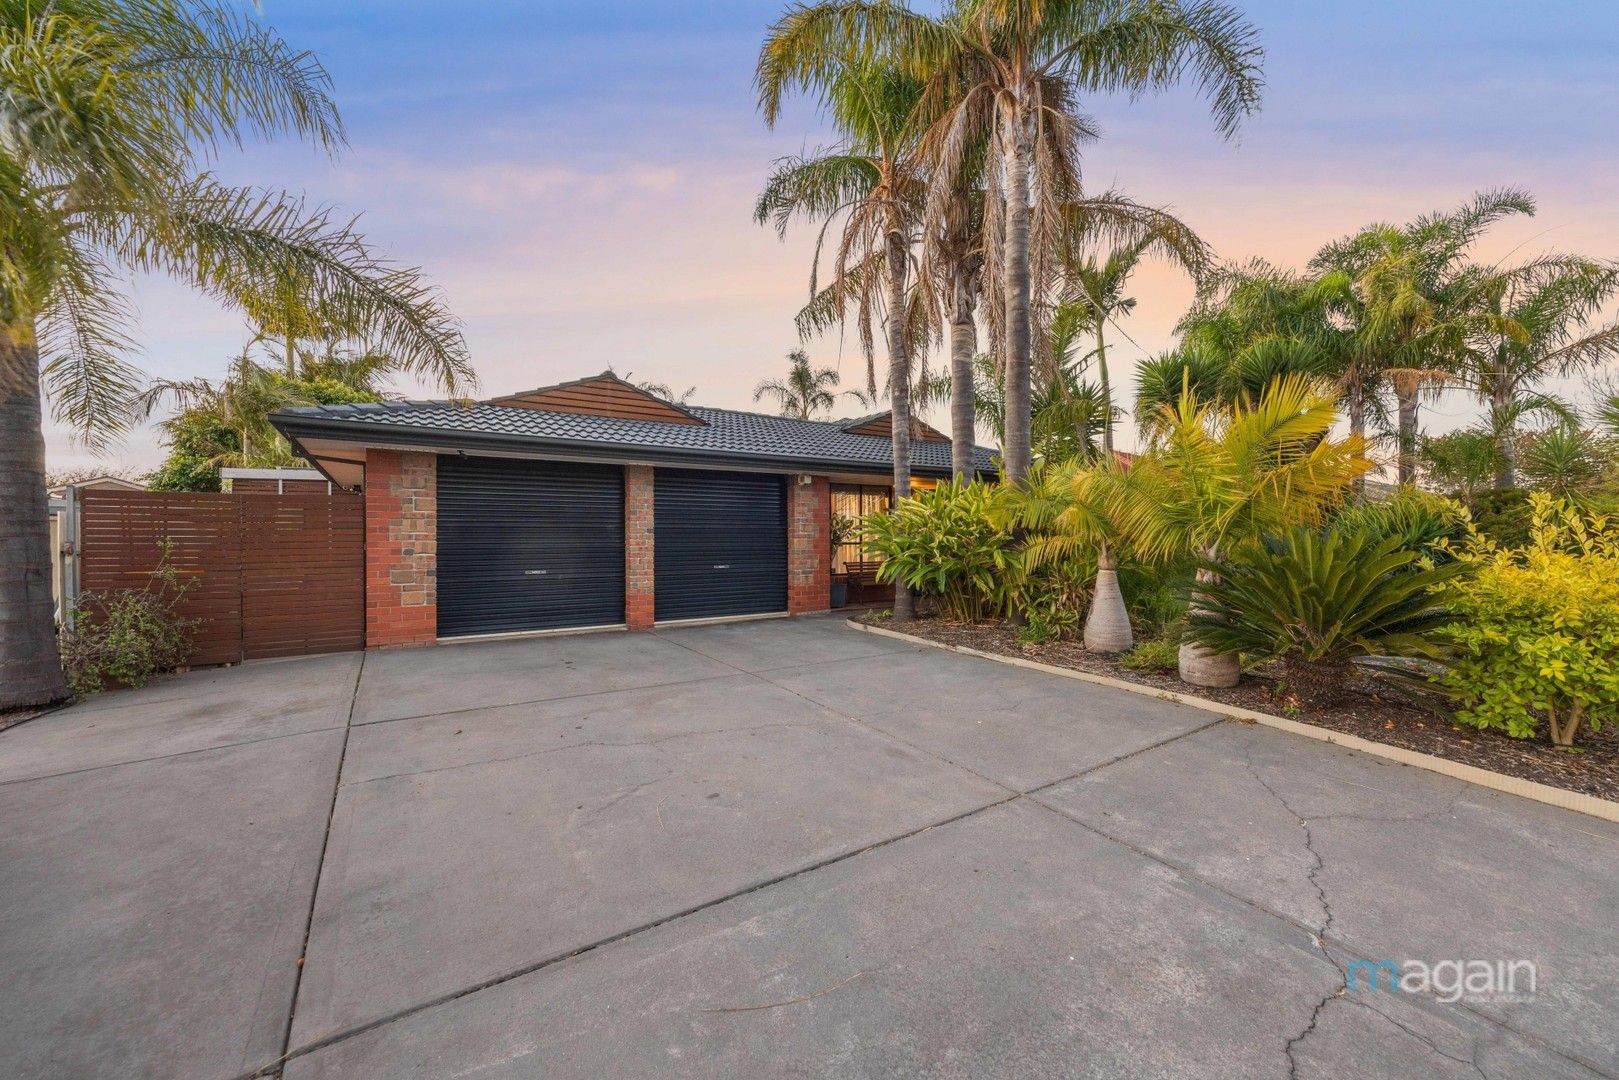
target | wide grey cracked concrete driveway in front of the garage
[{"x": 763, "y": 849}]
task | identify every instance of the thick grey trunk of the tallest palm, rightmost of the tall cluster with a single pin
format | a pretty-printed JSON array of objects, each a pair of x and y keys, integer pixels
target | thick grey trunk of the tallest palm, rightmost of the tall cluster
[{"x": 1016, "y": 150}]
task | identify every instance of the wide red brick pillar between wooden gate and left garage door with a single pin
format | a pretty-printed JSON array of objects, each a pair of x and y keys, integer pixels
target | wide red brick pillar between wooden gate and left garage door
[{"x": 402, "y": 550}]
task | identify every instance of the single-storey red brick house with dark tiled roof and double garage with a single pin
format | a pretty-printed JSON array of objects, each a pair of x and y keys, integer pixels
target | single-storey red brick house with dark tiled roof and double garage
[{"x": 597, "y": 504}]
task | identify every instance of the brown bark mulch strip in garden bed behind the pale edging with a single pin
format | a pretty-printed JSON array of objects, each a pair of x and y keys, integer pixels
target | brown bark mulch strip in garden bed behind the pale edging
[{"x": 1592, "y": 767}]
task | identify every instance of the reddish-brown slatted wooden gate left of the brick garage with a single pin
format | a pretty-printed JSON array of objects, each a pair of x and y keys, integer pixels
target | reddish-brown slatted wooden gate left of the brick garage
[{"x": 268, "y": 576}]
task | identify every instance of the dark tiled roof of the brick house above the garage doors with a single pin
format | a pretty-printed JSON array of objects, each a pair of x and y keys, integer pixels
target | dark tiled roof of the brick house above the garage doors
[{"x": 684, "y": 436}]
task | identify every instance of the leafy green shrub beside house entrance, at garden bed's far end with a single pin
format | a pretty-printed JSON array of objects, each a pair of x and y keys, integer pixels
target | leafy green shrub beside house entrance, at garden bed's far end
[{"x": 943, "y": 543}]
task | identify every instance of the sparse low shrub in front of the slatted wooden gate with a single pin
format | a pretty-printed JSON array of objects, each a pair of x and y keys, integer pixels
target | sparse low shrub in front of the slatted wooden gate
[{"x": 129, "y": 636}]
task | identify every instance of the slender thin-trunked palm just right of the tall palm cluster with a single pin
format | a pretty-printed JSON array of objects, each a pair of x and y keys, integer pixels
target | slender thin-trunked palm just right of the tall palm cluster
[{"x": 1097, "y": 294}]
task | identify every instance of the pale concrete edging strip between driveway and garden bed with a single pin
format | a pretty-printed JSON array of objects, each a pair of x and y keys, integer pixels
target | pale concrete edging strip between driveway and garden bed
[{"x": 1472, "y": 775}]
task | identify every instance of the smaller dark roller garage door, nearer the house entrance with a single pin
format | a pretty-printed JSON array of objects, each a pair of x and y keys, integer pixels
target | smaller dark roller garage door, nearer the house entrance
[{"x": 721, "y": 545}]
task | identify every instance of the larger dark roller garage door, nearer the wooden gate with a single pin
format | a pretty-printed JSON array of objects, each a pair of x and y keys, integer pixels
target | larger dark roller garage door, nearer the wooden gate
[{"x": 529, "y": 545}]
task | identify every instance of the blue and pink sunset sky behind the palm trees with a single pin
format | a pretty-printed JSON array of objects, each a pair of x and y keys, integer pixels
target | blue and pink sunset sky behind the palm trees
[{"x": 579, "y": 177}]
